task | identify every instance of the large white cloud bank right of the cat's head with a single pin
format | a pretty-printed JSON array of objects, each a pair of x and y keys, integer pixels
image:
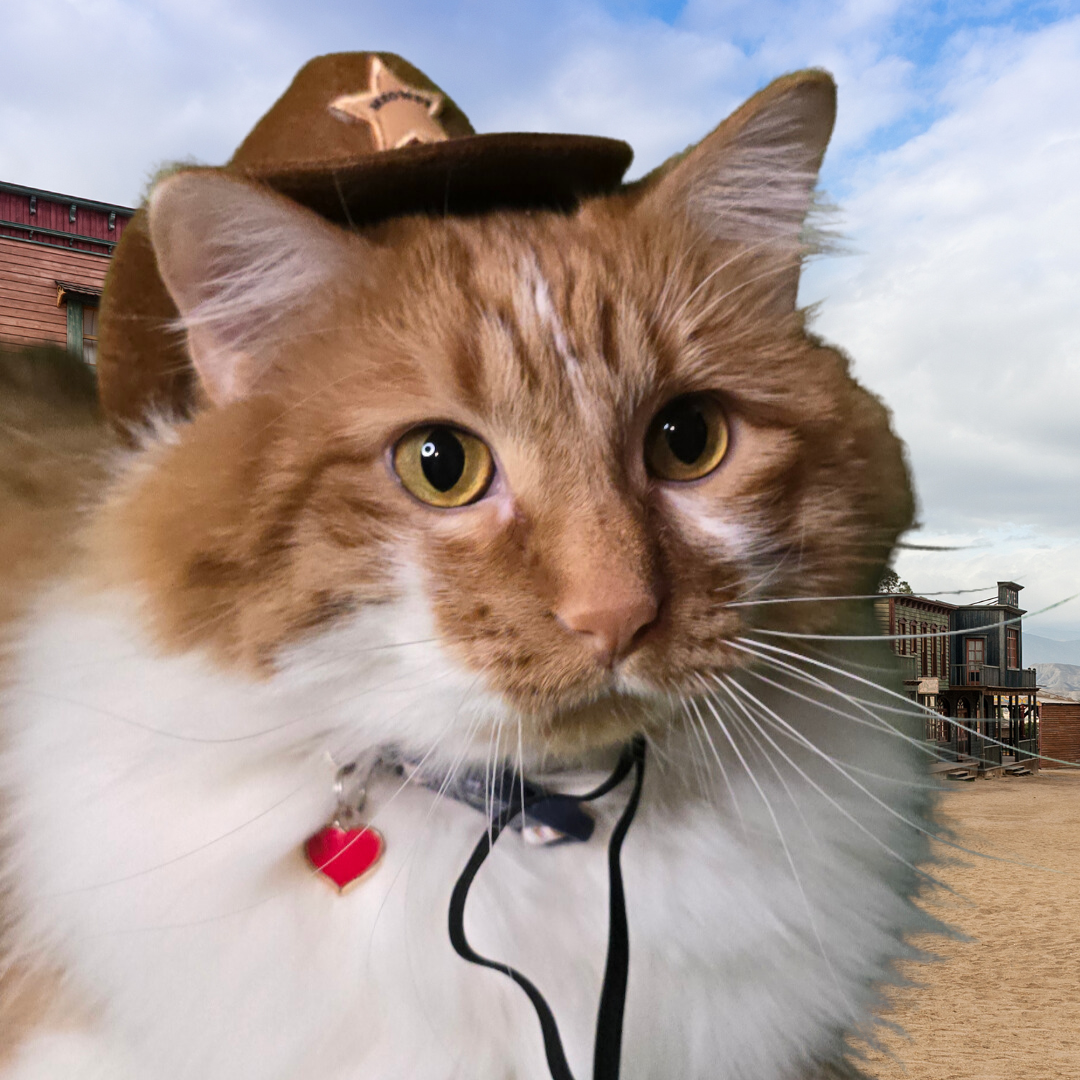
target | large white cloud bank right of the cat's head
[{"x": 964, "y": 312}]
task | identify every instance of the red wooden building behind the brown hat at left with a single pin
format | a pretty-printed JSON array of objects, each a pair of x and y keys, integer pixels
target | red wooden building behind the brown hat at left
[{"x": 55, "y": 252}]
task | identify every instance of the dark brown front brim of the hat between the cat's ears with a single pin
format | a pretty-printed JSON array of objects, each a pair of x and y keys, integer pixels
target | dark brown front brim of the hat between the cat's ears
[{"x": 468, "y": 175}]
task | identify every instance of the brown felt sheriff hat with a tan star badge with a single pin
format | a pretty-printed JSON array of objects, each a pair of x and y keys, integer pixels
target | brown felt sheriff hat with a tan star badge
[{"x": 358, "y": 138}]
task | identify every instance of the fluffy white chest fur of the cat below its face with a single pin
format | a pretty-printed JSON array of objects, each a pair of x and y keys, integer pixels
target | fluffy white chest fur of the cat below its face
[{"x": 159, "y": 811}]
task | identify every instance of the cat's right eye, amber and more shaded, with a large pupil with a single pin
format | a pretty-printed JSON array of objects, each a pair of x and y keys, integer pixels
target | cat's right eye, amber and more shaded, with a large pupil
[{"x": 687, "y": 439}]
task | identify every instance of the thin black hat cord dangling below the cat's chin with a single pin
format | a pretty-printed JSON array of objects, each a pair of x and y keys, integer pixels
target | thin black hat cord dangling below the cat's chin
[{"x": 609, "y": 1047}]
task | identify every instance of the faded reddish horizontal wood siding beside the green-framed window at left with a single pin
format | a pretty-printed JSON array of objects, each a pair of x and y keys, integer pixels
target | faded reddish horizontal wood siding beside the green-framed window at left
[{"x": 29, "y": 276}]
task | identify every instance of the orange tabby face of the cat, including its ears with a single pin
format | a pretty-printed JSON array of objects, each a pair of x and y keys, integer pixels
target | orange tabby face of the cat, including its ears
[{"x": 573, "y": 440}]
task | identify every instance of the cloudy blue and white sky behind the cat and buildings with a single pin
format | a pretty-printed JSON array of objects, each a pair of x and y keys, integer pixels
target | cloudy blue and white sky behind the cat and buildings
[{"x": 956, "y": 163}]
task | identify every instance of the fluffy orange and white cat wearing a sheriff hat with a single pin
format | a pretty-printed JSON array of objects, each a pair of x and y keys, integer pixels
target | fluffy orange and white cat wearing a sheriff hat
[{"x": 507, "y": 490}]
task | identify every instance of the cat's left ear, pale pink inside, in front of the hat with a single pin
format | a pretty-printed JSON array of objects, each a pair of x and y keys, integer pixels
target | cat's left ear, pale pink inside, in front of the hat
[{"x": 239, "y": 262}]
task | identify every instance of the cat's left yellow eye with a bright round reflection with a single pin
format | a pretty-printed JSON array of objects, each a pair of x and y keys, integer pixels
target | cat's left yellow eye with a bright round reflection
[{"x": 444, "y": 467}]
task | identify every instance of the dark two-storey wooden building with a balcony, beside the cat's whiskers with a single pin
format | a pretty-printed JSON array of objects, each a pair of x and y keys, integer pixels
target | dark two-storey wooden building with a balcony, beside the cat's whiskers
[{"x": 965, "y": 661}]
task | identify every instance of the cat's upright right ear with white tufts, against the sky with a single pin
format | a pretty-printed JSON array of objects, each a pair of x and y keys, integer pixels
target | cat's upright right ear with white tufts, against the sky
[{"x": 751, "y": 182}]
